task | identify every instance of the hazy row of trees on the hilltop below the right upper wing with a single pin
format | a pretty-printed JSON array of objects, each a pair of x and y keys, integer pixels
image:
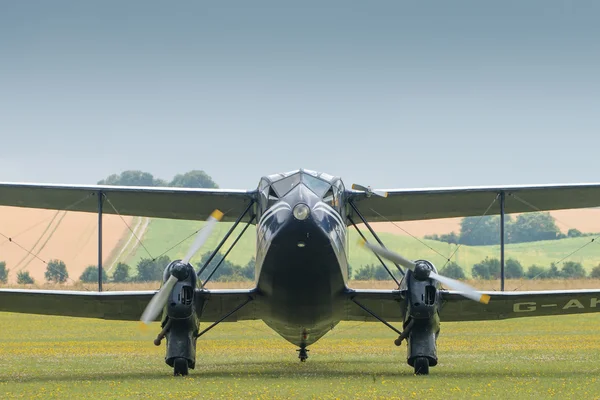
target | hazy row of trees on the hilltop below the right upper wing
[{"x": 529, "y": 227}]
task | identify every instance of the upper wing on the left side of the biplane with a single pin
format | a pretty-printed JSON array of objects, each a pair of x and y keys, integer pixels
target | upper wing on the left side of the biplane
[{"x": 160, "y": 202}]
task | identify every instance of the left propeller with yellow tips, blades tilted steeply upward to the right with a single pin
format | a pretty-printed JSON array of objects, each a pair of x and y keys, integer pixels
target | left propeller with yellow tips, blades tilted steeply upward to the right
[{"x": 157, "y": 303}]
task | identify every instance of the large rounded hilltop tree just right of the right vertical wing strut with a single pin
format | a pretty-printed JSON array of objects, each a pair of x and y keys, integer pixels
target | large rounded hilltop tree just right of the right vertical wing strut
[{"x": 532, "y": 227}]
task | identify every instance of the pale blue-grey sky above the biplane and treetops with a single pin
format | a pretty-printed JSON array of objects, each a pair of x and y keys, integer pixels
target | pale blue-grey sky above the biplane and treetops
[{"x": 392, "y": 94}]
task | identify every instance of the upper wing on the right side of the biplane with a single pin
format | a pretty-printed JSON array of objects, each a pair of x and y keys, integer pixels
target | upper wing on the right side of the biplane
[{"x": 418, "y": 204}]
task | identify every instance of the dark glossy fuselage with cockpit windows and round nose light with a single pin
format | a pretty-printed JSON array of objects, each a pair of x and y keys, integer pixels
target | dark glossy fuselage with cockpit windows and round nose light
[{"x": 301, "y": 264}]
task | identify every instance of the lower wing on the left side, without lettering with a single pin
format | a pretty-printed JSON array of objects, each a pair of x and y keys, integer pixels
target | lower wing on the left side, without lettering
[{"x": 126, "y": 306}]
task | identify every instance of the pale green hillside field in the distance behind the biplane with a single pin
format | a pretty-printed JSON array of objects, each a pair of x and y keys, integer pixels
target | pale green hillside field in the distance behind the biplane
[{"x": 162, "y": 234}]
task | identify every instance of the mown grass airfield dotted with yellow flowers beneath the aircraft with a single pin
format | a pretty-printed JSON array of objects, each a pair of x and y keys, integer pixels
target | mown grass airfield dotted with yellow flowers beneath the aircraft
[{"x": 57, "y": 357}]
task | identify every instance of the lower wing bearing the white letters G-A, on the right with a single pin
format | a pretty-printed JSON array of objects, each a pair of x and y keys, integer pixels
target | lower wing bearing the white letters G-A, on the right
[{"x": 389, "y": 304}]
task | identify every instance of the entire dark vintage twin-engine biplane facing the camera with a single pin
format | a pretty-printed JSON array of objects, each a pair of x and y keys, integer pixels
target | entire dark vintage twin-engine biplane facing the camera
[{"x": 301, "y": 289}]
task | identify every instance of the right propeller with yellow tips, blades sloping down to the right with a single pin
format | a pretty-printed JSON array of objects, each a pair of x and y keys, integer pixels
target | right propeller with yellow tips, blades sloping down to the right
[{"x": 467, "y": 291}]
